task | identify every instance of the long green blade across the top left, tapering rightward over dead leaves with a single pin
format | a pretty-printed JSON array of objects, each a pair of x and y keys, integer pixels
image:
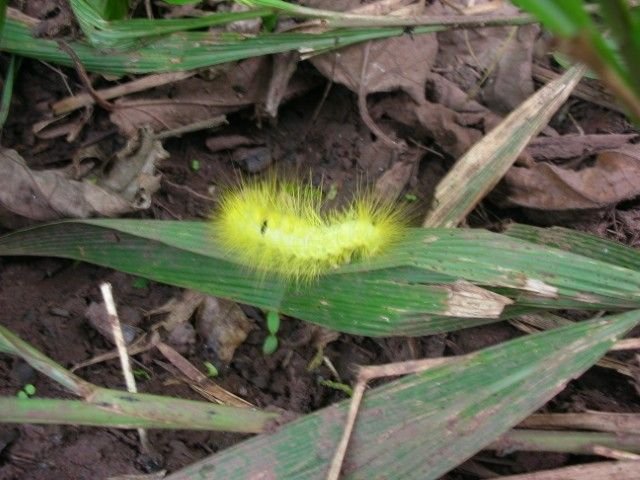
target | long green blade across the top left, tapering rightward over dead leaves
[{"x": 186, "y": 50}]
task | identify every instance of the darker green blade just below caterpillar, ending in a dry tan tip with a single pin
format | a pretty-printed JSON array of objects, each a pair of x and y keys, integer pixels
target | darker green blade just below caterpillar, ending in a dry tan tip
[{"x": 388, "y": 307}]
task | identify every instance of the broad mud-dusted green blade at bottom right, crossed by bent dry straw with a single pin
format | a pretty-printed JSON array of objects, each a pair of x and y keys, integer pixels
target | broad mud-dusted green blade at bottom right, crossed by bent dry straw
[{"x": 423, "y": 425}]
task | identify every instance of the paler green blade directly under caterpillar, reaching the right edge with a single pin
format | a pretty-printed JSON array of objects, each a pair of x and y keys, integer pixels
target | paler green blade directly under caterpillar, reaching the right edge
[{"x": 475, "y": 255}]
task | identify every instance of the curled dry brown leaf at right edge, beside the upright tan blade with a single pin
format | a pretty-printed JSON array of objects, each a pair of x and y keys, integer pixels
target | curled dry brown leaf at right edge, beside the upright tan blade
[{"x": 612, "y": 178}]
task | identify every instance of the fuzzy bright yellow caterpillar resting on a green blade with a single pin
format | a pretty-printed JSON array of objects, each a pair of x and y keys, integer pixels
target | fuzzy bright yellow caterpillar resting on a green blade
[{"x": 278, "y": 226}]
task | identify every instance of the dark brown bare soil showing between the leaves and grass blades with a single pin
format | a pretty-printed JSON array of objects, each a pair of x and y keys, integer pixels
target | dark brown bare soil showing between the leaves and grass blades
[{"x": 45, "y": 301}]
